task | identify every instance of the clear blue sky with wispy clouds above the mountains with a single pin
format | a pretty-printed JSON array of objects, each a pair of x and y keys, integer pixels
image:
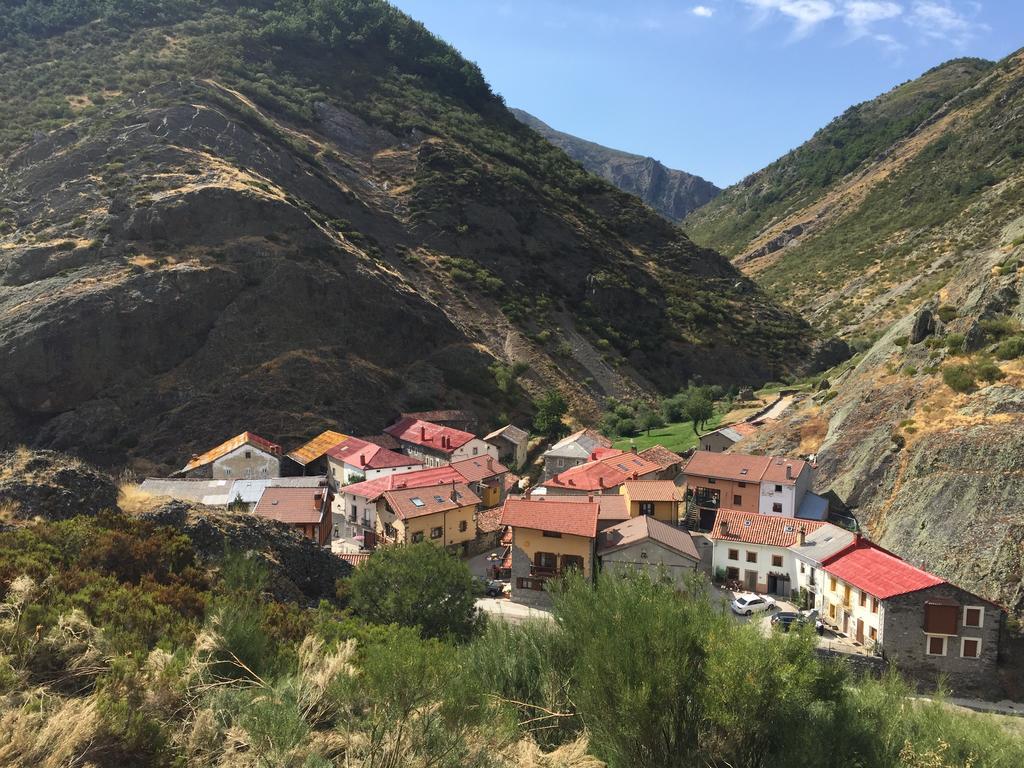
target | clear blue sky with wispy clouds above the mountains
[{"x": 715, "y": 88}]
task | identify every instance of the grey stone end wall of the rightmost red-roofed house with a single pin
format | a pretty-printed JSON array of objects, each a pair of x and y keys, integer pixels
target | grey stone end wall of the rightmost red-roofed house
[{"x": 904, "y": 643}]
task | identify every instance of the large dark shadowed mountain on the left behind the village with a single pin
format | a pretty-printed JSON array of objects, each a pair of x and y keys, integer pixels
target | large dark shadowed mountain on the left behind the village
[{"x": 227, "y": 217}]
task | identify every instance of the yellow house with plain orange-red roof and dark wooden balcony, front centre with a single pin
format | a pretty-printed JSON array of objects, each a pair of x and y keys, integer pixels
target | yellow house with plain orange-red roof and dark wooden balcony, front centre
[{"x": 549, "y": 538}]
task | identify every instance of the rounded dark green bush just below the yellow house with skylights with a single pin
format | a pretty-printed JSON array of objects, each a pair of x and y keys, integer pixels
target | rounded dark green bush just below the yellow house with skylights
[{"x": 417, "y": 586}]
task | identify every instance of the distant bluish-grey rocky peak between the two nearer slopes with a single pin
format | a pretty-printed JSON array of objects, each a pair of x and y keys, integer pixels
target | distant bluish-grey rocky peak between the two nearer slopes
[{"x": 671, "y": 193}]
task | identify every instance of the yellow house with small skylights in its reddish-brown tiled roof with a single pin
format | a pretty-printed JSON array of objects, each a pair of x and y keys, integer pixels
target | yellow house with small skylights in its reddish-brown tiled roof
[{"x": 443, "y": 515}]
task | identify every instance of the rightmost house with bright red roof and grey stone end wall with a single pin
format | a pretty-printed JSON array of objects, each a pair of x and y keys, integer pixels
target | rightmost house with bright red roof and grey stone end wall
[{"x": 926, "y": 626}]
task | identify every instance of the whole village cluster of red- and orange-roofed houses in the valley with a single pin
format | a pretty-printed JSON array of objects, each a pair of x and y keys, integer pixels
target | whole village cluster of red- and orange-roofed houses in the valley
[{"x": 748, "y": 529}]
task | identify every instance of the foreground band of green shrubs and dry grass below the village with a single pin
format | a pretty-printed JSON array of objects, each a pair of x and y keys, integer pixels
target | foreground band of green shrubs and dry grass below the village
[{"x": 132, "y": 641}]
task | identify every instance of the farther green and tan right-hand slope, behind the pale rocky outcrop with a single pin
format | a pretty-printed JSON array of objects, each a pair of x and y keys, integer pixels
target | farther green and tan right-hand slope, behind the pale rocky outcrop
[{"x": 884, "y": 206}]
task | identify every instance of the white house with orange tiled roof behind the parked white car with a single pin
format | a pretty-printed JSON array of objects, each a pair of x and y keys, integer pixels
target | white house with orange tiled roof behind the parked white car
[{"x": 755, "y": 550}]
